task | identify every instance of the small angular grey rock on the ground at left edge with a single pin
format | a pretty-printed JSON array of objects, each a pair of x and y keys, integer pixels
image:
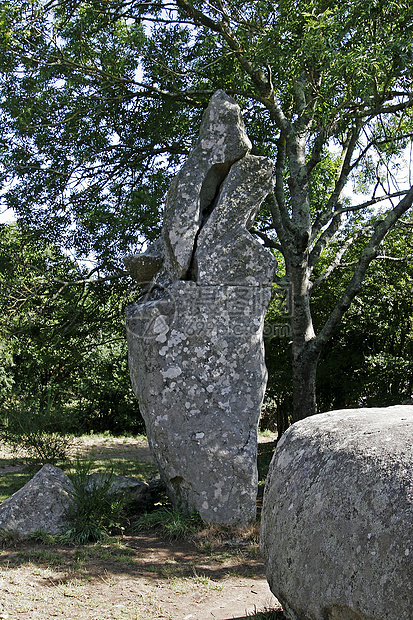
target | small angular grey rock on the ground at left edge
[{"x": 40, "y": 505}]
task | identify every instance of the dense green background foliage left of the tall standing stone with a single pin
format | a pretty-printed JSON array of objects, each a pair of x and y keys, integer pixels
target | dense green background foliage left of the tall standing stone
[{"x": 63, "y": 331}]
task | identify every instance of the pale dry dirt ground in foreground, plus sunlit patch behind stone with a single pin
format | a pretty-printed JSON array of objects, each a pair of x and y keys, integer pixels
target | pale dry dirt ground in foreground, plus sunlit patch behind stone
[{"x": 139, "y": 577}]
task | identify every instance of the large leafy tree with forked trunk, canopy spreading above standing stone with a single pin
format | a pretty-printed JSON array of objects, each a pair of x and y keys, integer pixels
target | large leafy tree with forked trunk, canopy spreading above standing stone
[{"x": 101, "y": 100}]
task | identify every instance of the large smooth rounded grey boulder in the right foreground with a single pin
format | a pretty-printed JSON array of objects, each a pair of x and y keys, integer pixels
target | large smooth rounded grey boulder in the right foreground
[{"x": 337, "y": 519}]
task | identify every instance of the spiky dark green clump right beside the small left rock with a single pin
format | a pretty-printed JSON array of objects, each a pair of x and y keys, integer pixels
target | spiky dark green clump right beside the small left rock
[{"x": 95, "y": 511}]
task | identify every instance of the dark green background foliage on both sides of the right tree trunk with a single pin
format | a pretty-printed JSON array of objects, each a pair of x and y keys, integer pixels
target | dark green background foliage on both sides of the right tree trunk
[{"x": 369, "y": 360}]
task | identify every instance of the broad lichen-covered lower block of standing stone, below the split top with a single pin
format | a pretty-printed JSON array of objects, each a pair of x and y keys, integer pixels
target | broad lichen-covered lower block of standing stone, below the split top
[{"x": 197, "y": 367}]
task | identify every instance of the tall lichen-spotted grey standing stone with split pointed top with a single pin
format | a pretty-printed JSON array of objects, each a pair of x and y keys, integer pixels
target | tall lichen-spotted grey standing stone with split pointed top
[{"x": 195, "y": 336}]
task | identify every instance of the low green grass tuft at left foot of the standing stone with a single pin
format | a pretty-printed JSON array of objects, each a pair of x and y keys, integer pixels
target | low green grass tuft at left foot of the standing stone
[{"x": 170, "y": 521}]
